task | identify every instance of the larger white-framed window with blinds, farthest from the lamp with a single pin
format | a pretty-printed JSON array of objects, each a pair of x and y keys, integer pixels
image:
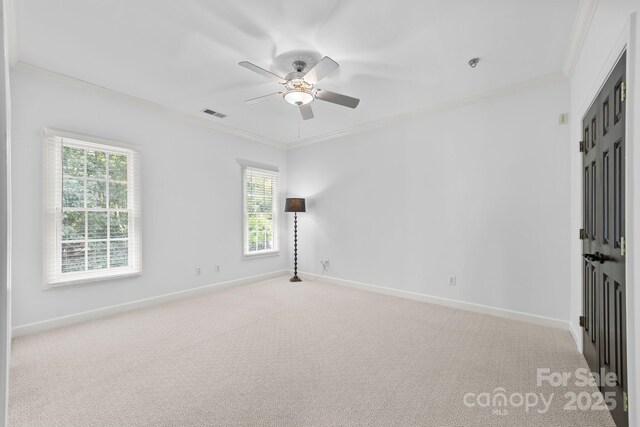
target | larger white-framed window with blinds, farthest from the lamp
[{"x": 92, "y": 210}]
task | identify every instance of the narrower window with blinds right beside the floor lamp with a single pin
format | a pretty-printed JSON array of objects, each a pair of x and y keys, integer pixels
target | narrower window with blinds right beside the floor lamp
[{"x": 260, "y": 211}]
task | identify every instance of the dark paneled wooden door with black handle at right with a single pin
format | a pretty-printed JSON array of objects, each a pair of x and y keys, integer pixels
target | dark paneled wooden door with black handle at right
[{"x": 604, "y": 295}]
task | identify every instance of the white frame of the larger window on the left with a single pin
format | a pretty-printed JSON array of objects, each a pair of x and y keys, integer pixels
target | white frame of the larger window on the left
[{"x": 54, "y": 141}]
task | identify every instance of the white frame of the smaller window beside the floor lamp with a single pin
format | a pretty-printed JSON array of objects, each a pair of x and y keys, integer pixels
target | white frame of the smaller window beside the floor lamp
[{"x": 267, "y": 171}]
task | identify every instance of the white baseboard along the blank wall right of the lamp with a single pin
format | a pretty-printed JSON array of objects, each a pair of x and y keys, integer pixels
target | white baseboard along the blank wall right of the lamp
[{"x": 463, "y": 305}]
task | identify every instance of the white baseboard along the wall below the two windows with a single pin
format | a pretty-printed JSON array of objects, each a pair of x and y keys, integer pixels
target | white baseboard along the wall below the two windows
[{"x": 84, "y": 316}]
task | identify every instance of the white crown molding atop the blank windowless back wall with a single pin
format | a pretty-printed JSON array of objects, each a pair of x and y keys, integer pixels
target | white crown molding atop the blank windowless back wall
[{"x": 542, "y": 81}]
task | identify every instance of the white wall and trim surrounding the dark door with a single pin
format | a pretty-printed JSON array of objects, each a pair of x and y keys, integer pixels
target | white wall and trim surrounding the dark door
[{"x": 608, "y": 35}]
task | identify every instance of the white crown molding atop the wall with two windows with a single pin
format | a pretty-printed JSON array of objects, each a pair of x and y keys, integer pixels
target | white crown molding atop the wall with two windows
[{"x": 31, "y": 69}]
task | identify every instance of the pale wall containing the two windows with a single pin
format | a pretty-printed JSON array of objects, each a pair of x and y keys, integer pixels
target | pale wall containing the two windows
[{"x": 191, "y": 197}]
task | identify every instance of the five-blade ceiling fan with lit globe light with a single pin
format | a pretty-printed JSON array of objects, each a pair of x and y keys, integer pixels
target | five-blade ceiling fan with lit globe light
[{"x": 299, "y": 86}]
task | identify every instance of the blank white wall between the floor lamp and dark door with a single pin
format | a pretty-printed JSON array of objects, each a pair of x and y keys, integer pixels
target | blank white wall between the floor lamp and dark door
[{"x": 480, "y": 192}]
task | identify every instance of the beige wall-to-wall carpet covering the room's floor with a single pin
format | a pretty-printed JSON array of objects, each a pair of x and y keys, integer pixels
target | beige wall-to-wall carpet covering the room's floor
[{"x": 283, "y": 354}]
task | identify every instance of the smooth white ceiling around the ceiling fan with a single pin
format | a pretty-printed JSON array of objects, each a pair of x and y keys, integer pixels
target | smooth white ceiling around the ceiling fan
[{"x": 397, "y": 56}]
